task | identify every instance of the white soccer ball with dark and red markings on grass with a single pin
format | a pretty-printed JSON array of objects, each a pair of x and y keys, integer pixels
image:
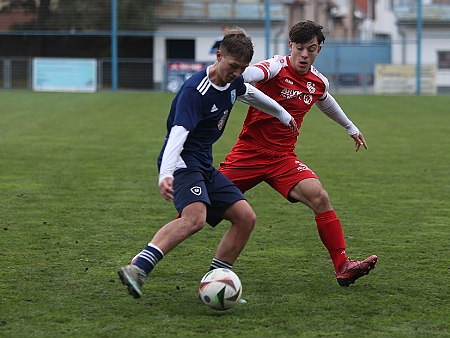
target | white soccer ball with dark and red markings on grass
[{"x": 220, "y": 289}]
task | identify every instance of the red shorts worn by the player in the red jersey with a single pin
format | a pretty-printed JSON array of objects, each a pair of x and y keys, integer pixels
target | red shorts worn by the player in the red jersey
[{"x": 249, "y": 164}]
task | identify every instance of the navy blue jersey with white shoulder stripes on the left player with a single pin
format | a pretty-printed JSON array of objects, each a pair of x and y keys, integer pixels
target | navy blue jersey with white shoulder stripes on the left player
[{"x": 203, "y": 109}]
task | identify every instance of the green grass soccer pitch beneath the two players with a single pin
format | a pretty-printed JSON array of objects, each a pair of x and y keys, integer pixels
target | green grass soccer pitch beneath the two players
[{"x": 79, "y": 198}]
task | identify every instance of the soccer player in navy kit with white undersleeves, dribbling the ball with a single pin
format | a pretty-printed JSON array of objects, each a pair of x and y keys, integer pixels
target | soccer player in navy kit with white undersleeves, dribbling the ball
[{"x": 201, "y": 193}]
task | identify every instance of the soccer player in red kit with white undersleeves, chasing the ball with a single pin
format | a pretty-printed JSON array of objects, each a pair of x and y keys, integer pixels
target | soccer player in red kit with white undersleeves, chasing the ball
[{"x": 265, "y": 150}]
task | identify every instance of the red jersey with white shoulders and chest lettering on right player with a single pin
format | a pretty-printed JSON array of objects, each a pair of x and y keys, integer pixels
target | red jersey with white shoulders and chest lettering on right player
[{"x": 293, "y": 91}]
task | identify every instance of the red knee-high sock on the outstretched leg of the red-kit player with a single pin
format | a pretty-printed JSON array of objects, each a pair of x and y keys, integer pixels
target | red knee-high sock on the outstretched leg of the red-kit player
[{"x": 330, "y": 232}]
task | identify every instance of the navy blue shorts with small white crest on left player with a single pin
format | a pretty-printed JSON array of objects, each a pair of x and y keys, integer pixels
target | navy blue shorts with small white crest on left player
[{"x": 210, "y": 186}]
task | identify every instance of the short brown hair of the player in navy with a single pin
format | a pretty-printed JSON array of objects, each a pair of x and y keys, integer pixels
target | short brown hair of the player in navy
[{"x": 236, "y": 43}]
